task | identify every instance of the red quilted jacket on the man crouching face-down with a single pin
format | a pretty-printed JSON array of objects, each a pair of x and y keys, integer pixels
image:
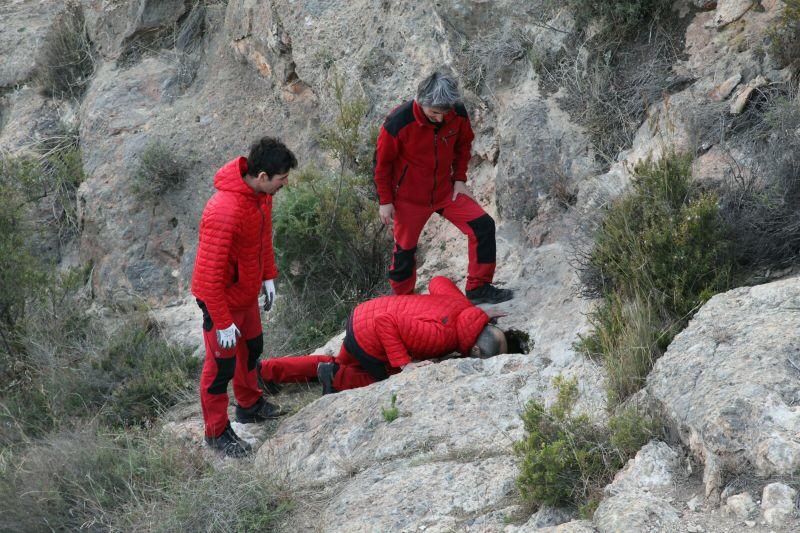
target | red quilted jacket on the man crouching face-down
[{"x": 419, "y": 326}]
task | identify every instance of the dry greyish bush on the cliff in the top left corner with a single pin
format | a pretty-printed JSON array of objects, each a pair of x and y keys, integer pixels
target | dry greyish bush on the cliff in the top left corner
[{"x": 65, "y": 63}]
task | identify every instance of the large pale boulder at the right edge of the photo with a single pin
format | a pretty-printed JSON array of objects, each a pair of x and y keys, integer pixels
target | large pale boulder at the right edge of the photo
[{"x": 729, "y": 382}]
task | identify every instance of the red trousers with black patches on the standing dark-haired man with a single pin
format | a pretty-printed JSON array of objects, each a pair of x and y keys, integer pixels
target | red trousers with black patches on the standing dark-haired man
[{"x": 237, "y": 363}]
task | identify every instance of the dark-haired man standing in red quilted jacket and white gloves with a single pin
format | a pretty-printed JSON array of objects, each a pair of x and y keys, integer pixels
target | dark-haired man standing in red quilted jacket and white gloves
[{"x": 235, "y": 262}]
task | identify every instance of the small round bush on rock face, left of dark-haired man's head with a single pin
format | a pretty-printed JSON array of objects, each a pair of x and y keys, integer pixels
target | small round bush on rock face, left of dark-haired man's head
[{"x": 159, "y": 171}]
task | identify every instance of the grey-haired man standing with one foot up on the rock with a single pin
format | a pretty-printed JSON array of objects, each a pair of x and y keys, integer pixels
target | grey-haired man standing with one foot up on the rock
[{"x": 421, "y": 168}]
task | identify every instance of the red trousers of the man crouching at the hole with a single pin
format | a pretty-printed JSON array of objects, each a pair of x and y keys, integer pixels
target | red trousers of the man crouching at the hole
[{"x": 303, "y": 368}]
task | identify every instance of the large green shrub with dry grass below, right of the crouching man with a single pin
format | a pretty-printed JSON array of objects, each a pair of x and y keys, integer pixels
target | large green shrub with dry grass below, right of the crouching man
[{"x": 660, "y": 252}]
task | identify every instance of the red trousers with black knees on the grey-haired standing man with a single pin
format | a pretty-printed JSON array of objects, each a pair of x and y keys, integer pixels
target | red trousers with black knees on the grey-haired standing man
[{"x": 467, "y": 216}]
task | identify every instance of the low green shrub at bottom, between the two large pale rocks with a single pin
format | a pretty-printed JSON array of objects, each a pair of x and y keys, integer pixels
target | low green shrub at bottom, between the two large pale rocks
[{"x": 566, "y": 459}]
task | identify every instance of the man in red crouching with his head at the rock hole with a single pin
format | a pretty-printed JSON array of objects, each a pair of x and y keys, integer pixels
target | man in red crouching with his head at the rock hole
[{"x": 392, "y": 333}]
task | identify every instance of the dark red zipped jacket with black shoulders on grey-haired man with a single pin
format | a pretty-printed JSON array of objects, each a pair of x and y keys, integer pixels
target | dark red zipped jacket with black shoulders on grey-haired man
[{"x": 418, "y": 161}]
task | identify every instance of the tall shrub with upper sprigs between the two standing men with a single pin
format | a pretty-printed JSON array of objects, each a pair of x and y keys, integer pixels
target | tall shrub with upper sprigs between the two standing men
[{"x": 333, "y": 250}]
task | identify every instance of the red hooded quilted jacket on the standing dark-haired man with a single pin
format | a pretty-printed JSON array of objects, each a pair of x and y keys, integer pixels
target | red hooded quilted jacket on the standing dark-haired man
[{"x": 234, "y": 253}]
